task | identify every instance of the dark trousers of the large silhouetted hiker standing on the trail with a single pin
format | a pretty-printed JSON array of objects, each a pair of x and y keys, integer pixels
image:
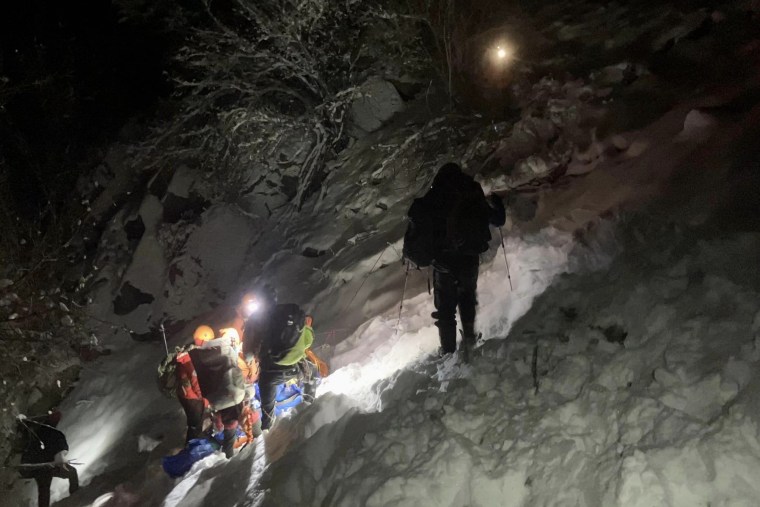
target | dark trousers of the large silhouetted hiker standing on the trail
[{"x": 455, "y": 285}]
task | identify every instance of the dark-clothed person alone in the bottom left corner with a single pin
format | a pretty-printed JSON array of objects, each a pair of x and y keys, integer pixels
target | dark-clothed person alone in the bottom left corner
[{"x": 44, "y": 456}]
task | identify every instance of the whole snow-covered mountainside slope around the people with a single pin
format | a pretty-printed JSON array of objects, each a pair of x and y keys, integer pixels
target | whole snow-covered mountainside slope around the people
[{"x": 394, "y": 425}]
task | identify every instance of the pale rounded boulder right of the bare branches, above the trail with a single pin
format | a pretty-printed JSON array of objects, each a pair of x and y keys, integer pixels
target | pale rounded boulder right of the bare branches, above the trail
[{"x": 377, "y": 101}]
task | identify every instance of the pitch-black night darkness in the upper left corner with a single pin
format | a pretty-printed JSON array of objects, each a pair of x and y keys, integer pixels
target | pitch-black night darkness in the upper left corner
[{"x": 72, "y": 74}]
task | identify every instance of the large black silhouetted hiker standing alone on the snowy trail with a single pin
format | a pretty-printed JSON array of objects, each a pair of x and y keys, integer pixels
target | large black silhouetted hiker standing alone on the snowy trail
[{"x": 458, "y": 214}]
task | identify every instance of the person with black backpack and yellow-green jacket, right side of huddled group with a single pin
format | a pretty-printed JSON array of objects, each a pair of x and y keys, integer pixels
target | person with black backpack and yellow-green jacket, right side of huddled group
[{"x": 281, "y": 336}]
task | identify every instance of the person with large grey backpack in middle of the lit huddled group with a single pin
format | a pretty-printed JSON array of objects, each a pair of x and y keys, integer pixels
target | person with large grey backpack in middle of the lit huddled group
[{"x": 223, "y": 385}]
